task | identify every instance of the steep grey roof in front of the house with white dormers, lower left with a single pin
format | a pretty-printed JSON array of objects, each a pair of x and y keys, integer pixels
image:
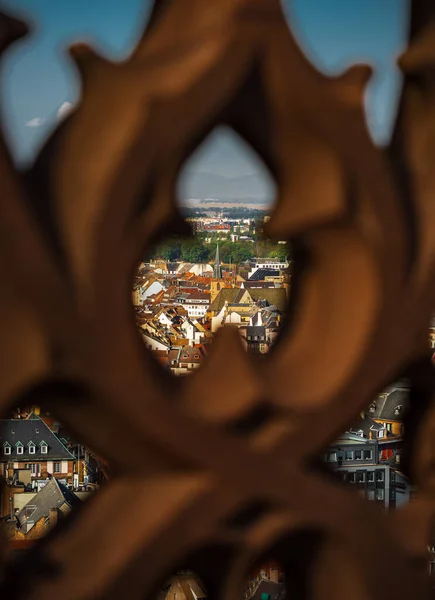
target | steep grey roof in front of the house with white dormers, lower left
[{"x": 52, "y": 495}]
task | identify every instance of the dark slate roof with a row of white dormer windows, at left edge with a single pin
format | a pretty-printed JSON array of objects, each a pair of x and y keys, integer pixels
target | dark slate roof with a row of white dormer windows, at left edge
[{"x": 27, "y": 431}]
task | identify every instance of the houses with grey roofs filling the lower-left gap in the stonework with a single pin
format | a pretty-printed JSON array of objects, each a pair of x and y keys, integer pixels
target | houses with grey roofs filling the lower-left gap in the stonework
[{"x": 44, "y": 474}]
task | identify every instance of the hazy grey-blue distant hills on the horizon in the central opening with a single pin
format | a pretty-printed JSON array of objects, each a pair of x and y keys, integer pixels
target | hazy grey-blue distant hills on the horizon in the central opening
[{"x": 253, "y": 188}]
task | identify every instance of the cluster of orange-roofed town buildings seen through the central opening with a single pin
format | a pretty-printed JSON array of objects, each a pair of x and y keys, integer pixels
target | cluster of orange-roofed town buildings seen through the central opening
[{"x": 179, "y": 307}]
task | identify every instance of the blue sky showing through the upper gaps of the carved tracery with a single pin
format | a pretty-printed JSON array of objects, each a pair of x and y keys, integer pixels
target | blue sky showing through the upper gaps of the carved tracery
[{"x": 37, "y": 77}]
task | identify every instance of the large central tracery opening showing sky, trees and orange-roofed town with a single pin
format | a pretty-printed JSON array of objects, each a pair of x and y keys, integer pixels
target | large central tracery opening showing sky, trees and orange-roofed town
[{"x": 227, "y": 273}]
